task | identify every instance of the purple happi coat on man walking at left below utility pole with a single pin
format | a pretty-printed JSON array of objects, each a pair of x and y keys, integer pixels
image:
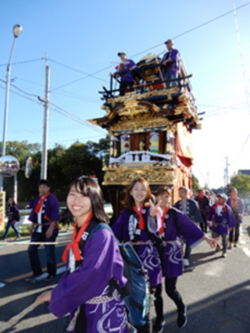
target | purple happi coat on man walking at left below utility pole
[{"x": 51, "y": 210}]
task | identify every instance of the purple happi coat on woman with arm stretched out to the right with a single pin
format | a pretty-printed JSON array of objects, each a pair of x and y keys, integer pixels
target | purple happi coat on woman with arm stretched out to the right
[{"x": 173, "y": 260}]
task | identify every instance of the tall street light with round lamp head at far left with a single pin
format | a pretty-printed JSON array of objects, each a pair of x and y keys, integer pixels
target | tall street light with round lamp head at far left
[{"x": 17, "y": 30}]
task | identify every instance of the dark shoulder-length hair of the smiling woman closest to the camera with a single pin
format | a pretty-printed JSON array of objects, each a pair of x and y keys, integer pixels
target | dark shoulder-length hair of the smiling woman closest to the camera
[{"x": 90, "y": 188}]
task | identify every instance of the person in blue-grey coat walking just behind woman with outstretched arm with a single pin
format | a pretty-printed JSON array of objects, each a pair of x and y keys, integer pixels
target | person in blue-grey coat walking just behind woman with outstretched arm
[{"x": 190, "y": 208}]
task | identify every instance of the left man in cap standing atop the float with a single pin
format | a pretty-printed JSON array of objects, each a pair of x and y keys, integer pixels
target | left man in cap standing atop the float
[{"x": 126, "y": 66}]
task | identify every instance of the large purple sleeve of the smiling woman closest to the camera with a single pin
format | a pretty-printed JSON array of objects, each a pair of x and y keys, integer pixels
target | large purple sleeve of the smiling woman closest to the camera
[{"x": 102, "y": 261}]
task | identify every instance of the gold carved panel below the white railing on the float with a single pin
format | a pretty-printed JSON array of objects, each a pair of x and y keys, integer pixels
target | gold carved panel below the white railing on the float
[{"x": 154, "y": 175}]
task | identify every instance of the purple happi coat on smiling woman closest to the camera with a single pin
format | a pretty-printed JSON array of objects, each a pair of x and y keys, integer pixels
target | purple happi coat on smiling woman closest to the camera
[{"x": 83, "y": 289}]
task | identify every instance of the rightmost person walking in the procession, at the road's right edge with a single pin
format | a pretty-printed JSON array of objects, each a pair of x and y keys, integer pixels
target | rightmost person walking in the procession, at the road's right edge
[{"x": 238, "y": 207}]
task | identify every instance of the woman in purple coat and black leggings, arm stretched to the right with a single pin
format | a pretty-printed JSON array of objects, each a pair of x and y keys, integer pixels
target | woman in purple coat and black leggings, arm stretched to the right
[{"x": 174, "y": 225}]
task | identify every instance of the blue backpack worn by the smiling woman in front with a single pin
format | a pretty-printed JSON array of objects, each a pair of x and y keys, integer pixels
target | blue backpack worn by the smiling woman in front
[{"x": 135, "y": 293}]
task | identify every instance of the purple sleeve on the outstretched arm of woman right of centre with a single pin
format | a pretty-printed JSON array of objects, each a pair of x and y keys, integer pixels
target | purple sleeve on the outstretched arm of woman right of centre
[{"x": 188, "y": 229}]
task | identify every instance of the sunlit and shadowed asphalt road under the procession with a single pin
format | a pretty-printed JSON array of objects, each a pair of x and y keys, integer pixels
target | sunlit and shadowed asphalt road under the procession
[{"x": 215, "y": 290}]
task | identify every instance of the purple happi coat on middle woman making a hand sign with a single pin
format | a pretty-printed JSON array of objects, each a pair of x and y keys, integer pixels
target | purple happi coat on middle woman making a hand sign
[{"x": 126, "y": 229}]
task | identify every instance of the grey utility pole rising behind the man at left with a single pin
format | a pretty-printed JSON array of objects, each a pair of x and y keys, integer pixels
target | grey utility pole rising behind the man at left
[{"x": 45, "y": 121}]
